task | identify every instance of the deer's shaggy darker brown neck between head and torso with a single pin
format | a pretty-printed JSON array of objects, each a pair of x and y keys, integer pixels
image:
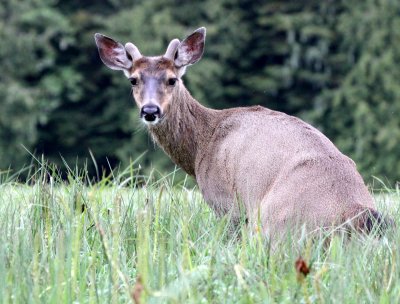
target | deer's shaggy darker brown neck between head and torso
[{"x": 185, "y": 129}]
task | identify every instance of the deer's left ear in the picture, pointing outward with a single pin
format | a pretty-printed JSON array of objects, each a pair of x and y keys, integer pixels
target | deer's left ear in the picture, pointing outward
[{"x": 112, "y": 53}]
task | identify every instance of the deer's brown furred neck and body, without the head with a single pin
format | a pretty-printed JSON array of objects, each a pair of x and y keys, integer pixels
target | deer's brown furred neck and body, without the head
[{"x": 273, "y": 163}]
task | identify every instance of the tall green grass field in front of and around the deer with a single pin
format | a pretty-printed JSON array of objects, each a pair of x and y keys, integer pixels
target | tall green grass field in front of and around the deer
[{"x": 108, "y": 242}]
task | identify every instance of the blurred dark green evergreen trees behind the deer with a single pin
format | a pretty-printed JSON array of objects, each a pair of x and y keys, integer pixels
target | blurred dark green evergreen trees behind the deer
[{"x": 333, "y": 63}]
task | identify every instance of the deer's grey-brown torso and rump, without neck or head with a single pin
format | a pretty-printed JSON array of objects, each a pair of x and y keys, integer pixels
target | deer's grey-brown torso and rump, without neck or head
[{"x": 282, "y": 171}]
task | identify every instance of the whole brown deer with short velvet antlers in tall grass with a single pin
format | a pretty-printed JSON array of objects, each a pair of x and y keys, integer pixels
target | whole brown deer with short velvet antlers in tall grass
[{"x": 276, "y": 169}]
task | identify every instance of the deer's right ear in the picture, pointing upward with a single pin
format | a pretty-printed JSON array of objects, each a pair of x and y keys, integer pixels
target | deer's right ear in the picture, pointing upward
[{"x": 191, "y": 49}]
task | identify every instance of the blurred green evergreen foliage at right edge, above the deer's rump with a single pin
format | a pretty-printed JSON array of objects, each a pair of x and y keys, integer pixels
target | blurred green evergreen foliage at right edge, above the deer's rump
[{"x": 362, "y": 112}]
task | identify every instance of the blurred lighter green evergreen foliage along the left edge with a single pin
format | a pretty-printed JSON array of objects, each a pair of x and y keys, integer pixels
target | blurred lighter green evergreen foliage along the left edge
[{"x": 32, "y": 33}]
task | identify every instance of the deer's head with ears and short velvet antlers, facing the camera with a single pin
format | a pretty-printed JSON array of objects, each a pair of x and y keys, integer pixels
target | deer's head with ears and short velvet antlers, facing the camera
[{"x": 155, "y": 80}]
